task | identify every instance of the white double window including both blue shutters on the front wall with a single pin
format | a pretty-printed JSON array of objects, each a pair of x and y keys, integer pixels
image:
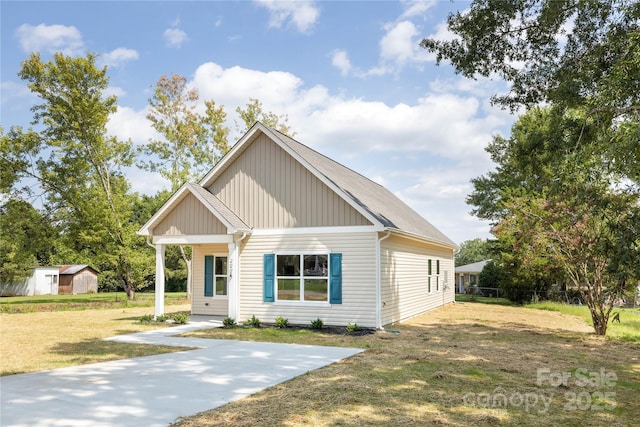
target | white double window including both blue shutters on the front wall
[{"x": 303, "y": 277}]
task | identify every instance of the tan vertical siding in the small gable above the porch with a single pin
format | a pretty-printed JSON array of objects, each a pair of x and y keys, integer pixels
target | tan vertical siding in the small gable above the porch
[{"x": 189, "y": 217}]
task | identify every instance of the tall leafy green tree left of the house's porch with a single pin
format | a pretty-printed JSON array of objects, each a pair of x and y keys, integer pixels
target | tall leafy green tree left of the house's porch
[{"x": 78, "y": 167}]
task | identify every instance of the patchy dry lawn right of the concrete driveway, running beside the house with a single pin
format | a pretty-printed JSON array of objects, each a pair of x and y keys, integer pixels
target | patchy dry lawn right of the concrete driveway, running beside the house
[{"x": 464, "y": 364}]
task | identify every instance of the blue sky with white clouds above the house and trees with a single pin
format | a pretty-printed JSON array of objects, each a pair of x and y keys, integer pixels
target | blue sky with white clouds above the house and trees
[{"x": 349, "y": 75}]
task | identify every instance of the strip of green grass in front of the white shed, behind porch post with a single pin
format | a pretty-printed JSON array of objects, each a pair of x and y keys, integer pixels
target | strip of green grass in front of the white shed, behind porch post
[{"x": 29, "y": 304}]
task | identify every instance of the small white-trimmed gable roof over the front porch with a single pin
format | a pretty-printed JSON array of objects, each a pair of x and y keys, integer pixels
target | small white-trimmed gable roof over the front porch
[{"x": 214, "y": 205}]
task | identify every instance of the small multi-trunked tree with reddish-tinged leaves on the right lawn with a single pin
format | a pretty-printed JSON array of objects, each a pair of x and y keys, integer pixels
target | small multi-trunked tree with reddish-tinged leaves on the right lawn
[{"x": 595, "y": 243}]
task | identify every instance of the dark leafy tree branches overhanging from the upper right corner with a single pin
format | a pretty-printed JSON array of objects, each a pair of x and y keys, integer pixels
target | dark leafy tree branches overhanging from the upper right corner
[{"x": 571, "y": 53}]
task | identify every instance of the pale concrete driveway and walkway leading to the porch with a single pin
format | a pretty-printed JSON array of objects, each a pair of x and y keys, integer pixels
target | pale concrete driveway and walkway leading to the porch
[{"x": 156, "y": 390}]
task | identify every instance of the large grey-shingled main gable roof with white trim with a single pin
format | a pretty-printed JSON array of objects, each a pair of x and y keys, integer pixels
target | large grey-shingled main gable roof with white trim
[{"x": 373, "y": 201}]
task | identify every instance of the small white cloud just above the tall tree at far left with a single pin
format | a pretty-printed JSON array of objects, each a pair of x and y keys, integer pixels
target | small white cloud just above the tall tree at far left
[{"x": 50, "y": 39}]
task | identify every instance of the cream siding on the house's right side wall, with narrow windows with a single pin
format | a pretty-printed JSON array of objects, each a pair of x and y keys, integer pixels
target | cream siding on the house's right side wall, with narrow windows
[{"x": 404, "y": 278}]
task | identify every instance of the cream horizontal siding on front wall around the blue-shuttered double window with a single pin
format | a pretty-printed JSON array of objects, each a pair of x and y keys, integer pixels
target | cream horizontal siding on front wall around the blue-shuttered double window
[{"x": 358, "y": 278}]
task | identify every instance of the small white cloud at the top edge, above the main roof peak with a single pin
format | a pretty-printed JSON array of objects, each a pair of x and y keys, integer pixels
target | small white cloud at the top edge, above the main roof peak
[{"x": 302, "y": 14}]
